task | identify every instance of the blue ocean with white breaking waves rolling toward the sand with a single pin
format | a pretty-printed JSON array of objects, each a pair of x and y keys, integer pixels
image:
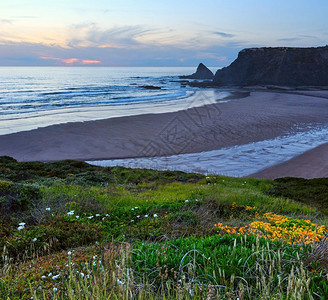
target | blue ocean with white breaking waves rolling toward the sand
[{"x": 32, "y": 97}]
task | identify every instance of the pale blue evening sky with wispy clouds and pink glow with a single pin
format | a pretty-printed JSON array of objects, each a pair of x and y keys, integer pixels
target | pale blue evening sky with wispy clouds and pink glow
[{"x": 153, "y": 33}]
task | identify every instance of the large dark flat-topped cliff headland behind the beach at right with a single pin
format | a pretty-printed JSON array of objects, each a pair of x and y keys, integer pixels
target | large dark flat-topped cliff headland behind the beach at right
[{"x": 280, "y": 66}]
